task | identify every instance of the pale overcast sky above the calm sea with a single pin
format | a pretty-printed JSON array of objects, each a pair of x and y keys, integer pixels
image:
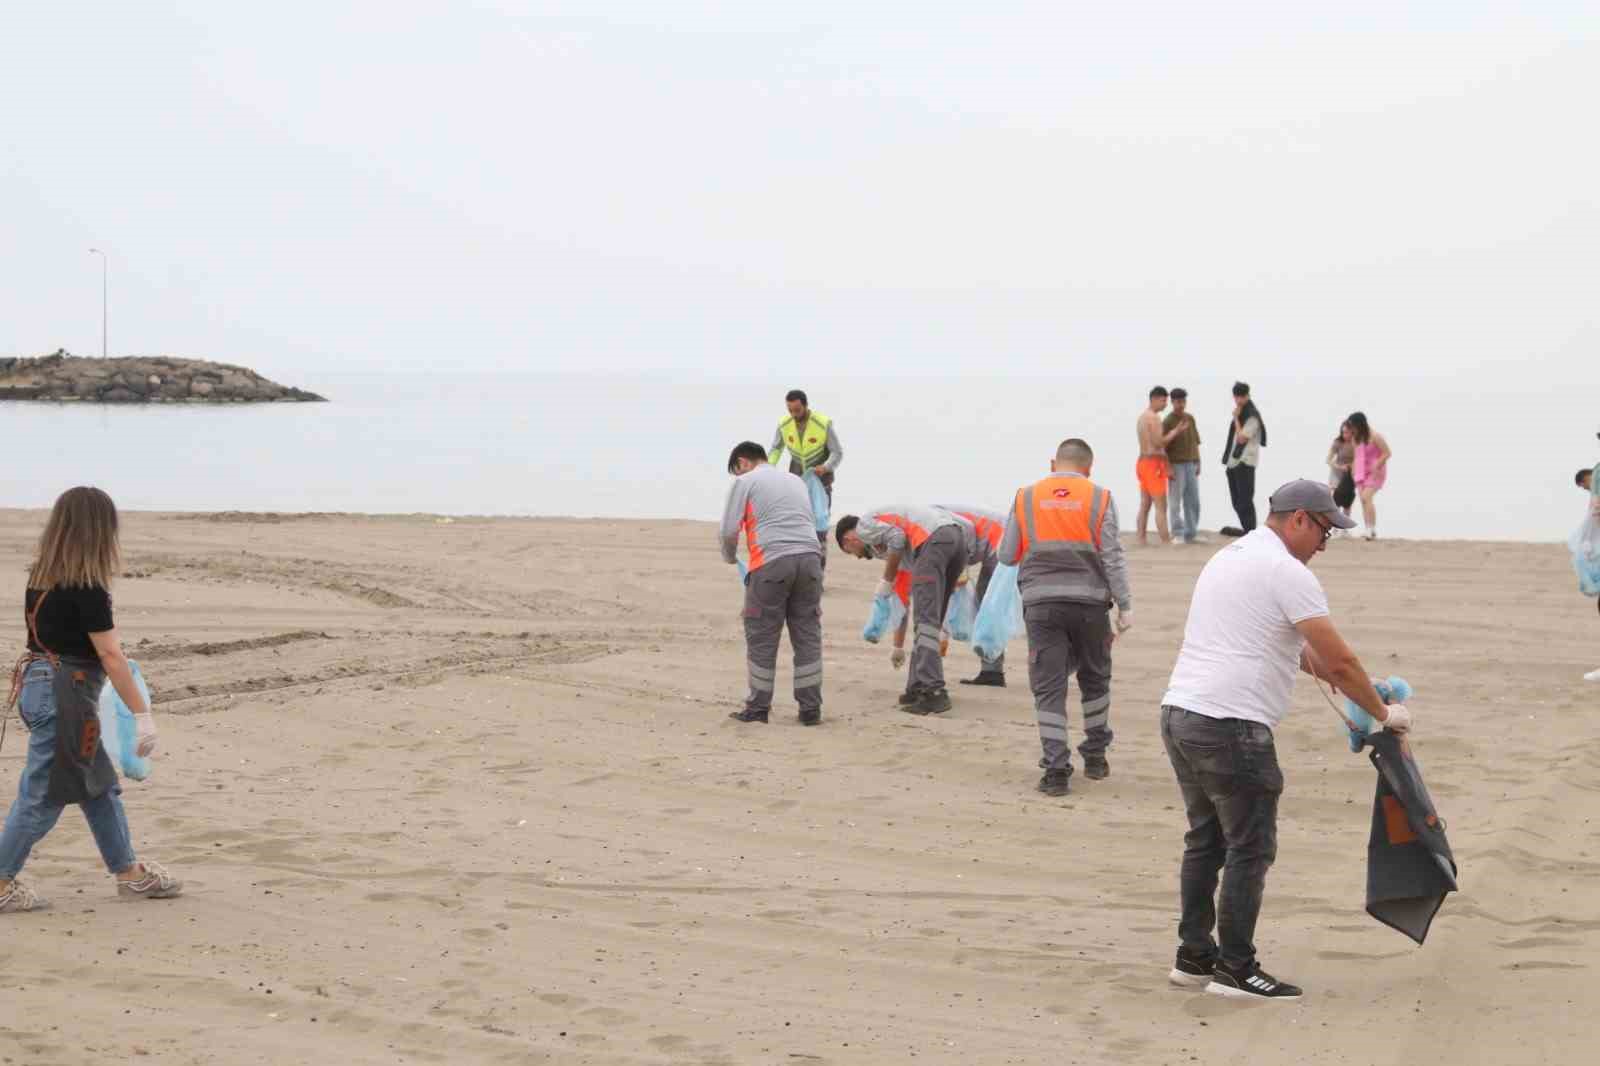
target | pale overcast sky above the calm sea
[{"x": 1041, "y": 188}]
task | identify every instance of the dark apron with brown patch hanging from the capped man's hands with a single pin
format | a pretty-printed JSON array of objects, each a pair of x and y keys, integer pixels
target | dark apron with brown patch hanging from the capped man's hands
[{"x": 1410, "y": 868}]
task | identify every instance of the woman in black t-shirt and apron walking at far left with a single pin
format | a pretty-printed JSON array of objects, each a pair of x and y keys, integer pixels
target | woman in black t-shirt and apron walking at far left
[{"x": 73, "y": 649}]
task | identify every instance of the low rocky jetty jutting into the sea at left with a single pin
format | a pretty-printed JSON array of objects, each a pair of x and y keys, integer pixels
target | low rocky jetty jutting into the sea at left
[{"x": 140, "y": 380}]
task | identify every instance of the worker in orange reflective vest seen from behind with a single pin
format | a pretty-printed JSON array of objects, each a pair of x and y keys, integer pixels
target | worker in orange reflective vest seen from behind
[{"x": 1063, "y": 535}]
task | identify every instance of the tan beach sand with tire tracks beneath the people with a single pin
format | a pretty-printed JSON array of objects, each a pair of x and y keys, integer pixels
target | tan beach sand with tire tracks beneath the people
[{"x": 465, "y": 791}]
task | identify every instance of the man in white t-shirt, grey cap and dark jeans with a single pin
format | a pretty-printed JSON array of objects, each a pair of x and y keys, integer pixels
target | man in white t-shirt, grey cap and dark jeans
[{"x": 1258, "y": 615}]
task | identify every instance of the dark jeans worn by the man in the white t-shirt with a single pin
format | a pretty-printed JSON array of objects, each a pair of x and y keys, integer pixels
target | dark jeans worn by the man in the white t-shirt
[{"x": 1228, "y": 772}]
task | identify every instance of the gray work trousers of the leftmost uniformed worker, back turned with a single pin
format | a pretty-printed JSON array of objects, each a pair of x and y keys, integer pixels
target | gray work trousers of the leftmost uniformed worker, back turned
[{"x": 786, "y": 590}]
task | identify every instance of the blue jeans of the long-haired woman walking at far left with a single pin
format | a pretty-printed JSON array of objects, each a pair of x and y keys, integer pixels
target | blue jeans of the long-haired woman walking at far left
[{"x": 33, "y": 816}]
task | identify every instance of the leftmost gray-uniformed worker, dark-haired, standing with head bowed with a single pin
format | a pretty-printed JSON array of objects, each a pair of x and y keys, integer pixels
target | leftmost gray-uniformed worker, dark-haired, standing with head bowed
[{"x": 783, "y": 583}]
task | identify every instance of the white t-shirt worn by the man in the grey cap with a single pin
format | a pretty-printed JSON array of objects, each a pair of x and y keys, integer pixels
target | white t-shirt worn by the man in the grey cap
[{"x": 1241, "y": 647}]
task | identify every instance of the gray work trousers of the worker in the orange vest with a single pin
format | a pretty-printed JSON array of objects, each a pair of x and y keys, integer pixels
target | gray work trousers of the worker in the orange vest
[{"x": 1065, "y": 639}]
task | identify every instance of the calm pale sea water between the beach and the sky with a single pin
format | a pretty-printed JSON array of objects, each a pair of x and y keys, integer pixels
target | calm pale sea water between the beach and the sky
[{"x": 1468, "y": 463}]
